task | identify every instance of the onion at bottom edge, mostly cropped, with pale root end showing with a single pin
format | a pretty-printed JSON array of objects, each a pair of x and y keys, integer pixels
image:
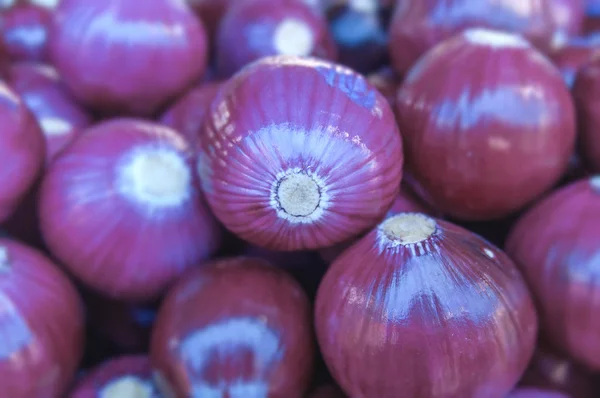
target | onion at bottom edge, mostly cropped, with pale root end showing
[{"x": 123, "y": 377}]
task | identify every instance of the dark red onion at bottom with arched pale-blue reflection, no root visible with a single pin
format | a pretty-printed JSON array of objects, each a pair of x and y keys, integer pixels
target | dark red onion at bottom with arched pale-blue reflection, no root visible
[{"x": 254, "y": 339}]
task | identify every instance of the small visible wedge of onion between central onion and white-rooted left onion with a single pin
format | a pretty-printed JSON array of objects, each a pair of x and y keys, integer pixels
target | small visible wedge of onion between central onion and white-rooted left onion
[{"x": 188, "y": 113}]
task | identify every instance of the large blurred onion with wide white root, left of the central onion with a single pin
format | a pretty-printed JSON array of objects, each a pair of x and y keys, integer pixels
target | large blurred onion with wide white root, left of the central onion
[{"x": 121, "y": 209}]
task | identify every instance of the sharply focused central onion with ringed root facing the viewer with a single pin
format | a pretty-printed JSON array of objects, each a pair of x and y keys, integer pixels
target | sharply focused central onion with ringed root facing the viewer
[{"x": 299, "y": 154}]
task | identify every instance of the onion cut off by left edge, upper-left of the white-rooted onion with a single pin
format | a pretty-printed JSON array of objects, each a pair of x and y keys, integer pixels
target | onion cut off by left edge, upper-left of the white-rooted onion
[{"x": 22, "y": 150}]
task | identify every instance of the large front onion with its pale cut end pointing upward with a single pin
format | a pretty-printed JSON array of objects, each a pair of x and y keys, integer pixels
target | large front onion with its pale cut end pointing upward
[{"x": 422, "y": 308}]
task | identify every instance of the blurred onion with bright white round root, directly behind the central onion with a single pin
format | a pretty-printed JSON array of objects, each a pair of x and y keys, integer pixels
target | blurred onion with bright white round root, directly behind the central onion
[{"x": 254, "y": 29}]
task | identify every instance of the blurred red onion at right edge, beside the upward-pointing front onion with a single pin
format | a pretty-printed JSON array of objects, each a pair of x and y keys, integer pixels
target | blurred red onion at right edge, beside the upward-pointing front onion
[{"x": 556, "y": 245}]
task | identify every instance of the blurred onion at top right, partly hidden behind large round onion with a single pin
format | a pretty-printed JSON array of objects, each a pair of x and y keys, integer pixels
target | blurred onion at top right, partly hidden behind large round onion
[{"x": 418, "y": 26}]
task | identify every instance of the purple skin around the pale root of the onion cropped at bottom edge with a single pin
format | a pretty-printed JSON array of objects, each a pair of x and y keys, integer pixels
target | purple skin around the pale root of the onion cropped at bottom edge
[{"x": 131, "y": 366}]
